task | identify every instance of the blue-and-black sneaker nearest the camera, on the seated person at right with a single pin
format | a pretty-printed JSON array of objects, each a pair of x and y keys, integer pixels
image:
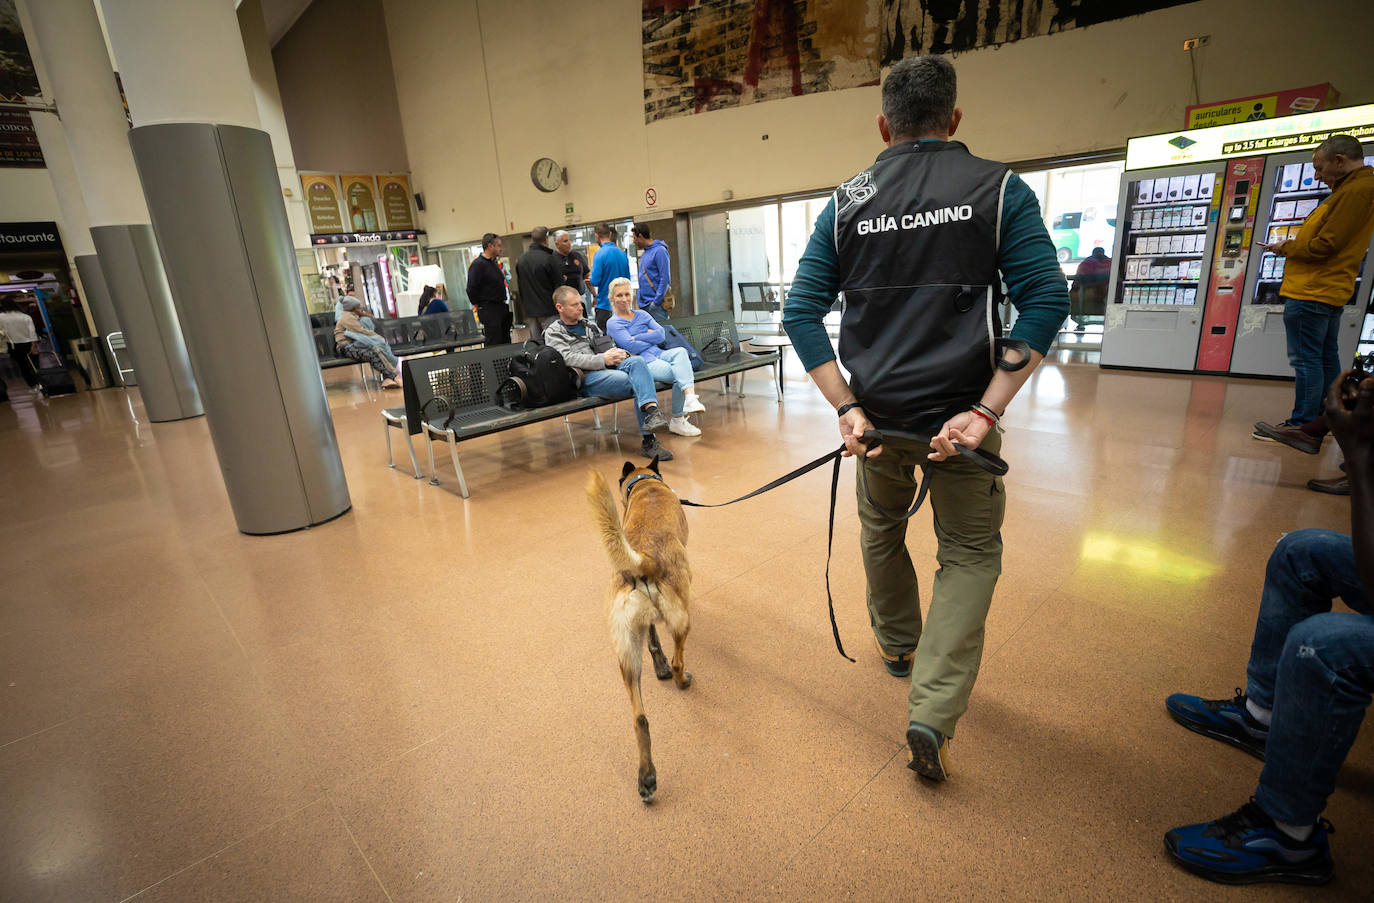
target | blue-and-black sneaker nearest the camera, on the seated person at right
[{"x": 1247, "y": 847}]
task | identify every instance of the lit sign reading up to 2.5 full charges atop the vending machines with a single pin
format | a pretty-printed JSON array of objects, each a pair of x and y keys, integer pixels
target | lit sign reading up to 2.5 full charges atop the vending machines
[{"x": 1243, "y": 140}]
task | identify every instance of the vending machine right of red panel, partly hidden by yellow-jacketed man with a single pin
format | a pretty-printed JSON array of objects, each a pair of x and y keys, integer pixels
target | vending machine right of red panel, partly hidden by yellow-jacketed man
[{"x": 1291, "y": 194}]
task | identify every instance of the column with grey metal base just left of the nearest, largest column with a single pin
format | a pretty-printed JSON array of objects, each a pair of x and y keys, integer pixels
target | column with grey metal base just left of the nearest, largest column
[{"x": 68, "y": 41}]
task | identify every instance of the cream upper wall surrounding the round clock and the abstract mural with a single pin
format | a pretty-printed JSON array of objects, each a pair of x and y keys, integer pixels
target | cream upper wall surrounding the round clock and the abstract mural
[{"x": 486, "y": 87}]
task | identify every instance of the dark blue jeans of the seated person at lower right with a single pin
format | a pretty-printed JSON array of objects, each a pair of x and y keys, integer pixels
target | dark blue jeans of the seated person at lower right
[{"x": 1313, "y": 667}]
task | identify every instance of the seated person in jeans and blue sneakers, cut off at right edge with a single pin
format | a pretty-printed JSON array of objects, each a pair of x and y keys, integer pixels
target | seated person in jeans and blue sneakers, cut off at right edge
[{"x": 1309, "y": 682}]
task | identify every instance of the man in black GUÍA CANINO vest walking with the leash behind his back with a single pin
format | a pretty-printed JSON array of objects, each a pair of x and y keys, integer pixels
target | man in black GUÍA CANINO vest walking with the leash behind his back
[{"x": 917, "y": 244}]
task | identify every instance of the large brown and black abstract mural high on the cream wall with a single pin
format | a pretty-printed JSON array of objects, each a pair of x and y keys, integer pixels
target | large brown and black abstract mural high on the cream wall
[{"x": 703, "y": 56}]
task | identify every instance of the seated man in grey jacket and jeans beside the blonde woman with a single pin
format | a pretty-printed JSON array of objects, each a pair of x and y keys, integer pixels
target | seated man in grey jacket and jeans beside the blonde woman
[{"x": 612, "y": 373}]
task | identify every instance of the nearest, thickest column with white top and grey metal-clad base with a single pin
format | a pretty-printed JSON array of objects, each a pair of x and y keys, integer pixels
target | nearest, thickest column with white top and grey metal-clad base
[{"x": 212, "y": 188}]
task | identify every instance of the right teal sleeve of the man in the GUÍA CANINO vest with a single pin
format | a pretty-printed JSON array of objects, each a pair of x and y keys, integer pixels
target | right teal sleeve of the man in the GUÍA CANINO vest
[{"x": 1026, "y": 256}]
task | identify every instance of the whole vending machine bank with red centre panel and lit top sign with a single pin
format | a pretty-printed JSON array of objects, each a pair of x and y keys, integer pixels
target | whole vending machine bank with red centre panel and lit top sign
[{"x": 1191, "y": 291}]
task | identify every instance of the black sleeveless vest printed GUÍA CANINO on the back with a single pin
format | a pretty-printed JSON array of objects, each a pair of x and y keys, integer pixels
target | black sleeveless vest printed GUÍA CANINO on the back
[{"x": 917, "y": 236}]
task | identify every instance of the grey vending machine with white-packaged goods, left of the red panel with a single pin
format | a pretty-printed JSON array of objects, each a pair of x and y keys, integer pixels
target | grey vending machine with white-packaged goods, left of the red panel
[{"x": 1169, "y": 227}]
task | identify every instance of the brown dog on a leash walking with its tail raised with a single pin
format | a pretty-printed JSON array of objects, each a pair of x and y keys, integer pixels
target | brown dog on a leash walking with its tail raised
[{"x": 652, "y": 583}]
